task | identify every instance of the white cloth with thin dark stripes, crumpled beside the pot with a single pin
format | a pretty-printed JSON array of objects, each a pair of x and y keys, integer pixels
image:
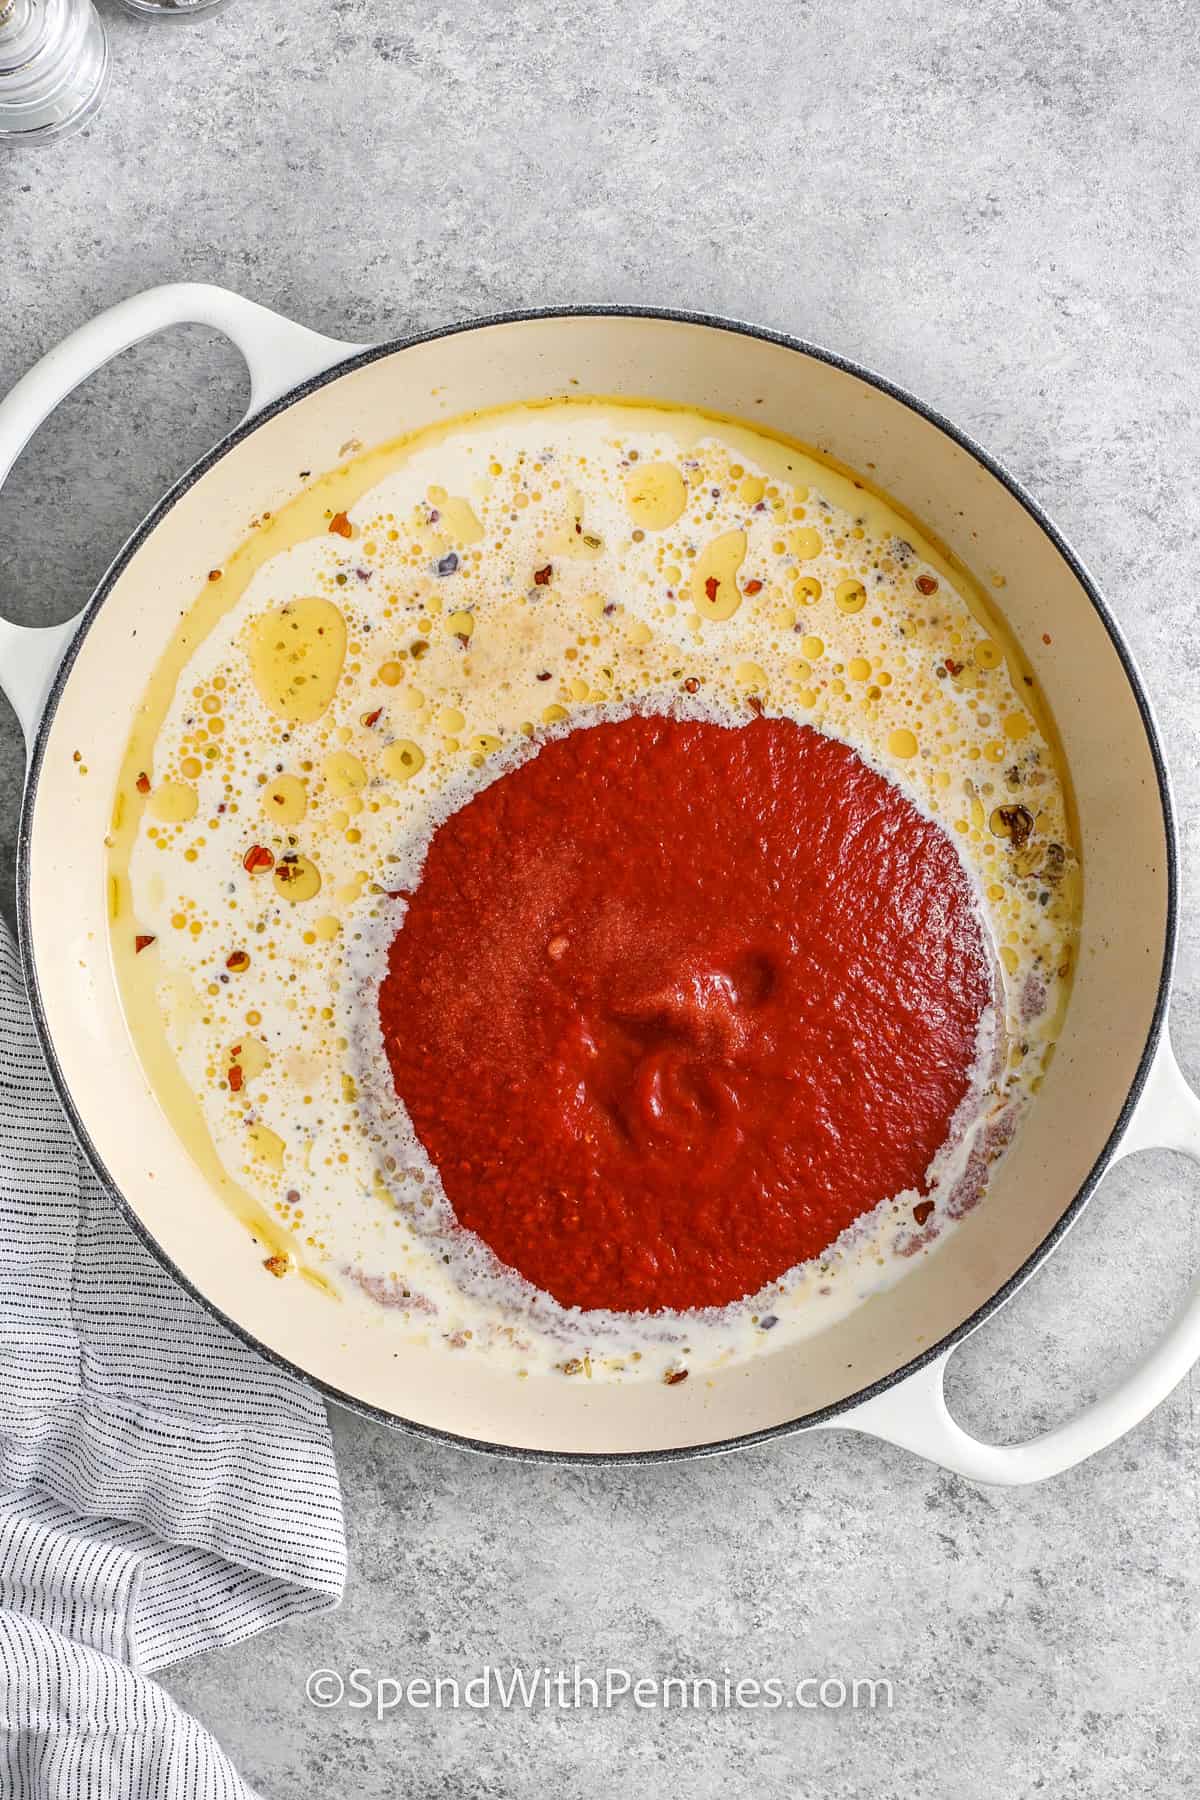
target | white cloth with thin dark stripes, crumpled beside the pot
[{"x": 163, "y": 1489}]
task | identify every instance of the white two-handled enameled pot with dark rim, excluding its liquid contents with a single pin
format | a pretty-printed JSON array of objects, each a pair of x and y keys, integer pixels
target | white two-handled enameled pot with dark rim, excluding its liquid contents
[{"x": 1115, "y": 1086}]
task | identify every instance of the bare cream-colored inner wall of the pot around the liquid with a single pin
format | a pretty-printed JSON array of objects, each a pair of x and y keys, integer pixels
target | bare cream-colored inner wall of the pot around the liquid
[{"x": 773, "y": 386}]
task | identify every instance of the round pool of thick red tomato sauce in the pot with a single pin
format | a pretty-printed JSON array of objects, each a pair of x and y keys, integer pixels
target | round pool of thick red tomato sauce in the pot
[{"x": 677, "y": 1003}]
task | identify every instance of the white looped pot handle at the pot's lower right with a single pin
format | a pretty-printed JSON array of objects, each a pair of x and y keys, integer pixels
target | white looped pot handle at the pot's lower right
[{"x": 913, "y": 1414}]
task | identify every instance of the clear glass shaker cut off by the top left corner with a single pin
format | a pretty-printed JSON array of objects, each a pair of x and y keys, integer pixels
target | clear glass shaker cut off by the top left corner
[{"x": 53, "y": 69}]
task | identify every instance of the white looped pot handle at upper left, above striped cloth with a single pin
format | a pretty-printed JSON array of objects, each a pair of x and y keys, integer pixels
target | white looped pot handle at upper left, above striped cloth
[{"x": 278, "y": 354}]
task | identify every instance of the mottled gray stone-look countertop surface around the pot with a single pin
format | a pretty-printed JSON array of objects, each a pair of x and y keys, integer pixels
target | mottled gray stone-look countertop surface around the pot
[{"x": 996, "y": 204}]
